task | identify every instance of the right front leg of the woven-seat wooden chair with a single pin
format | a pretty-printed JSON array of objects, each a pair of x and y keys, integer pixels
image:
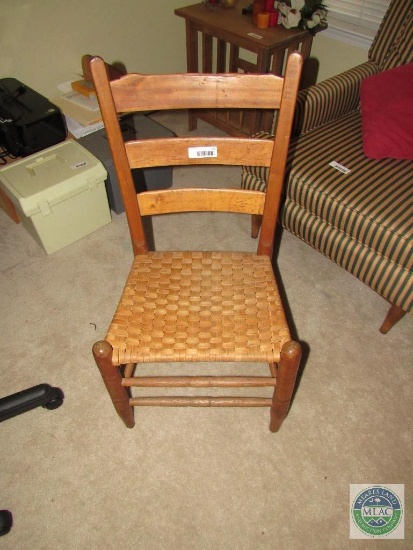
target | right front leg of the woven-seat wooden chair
[{"x": 286, "y": 375}]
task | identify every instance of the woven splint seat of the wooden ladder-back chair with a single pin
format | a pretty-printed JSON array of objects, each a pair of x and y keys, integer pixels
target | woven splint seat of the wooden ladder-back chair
[{"x": 194, "y": 306}]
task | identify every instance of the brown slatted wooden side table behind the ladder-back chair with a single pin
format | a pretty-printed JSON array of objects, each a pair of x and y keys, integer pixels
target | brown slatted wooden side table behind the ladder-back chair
[{"x": 221, "y": 34}]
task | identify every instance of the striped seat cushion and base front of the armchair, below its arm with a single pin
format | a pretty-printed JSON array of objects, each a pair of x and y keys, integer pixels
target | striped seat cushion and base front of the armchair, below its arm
[{"x": 361, "y": 220}]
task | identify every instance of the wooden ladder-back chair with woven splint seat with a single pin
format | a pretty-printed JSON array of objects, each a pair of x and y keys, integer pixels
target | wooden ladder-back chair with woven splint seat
[{"x": 199, "y": 306}]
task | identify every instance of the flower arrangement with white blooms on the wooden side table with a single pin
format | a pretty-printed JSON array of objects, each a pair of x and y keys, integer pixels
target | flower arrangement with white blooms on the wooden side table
[{"x": 307, "y": 14}]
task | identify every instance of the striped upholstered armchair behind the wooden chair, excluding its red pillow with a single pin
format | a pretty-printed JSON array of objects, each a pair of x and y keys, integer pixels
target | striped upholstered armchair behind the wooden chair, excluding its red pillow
[{"x": 361, "y": 220}]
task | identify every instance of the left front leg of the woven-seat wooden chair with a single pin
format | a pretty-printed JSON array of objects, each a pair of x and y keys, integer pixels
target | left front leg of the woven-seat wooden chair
[{"x": 102, "y": 352}]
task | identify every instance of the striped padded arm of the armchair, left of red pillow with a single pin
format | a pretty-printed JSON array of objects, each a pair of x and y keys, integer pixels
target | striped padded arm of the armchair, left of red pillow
[{"x": 330, "y": 99}]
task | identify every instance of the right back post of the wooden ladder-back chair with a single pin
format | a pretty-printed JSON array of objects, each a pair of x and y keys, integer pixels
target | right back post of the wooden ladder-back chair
[{"x": 280, "y": 152}]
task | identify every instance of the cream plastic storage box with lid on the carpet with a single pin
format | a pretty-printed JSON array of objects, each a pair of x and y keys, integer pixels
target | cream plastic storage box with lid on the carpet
[{"x": 59, "y": 194}]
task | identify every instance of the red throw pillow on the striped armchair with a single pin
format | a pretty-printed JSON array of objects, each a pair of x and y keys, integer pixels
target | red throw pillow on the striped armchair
[{"x": 387, "y": 114}]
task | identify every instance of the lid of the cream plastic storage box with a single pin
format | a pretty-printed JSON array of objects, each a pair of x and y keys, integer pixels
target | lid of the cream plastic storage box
[{"x": 53, "y": 175}]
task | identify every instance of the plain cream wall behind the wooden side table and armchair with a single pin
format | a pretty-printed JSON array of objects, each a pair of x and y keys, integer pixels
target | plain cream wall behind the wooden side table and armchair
[{"x": 42, "y": 41}]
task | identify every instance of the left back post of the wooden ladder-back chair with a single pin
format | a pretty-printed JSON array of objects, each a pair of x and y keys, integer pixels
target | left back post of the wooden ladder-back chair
[{"x": 110, "y": 118}]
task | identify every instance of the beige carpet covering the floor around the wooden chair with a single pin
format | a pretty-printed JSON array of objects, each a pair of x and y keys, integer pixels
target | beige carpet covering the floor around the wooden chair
[{"x": 76, "y": 478}]
